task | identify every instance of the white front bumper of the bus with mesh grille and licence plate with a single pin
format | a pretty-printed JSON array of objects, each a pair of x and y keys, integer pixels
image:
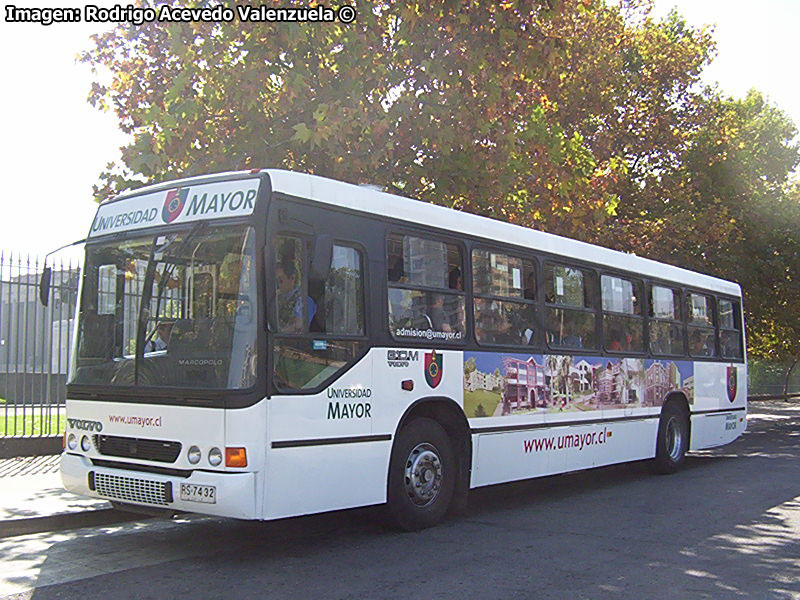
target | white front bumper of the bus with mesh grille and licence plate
[{"x": 212, "y": 493}]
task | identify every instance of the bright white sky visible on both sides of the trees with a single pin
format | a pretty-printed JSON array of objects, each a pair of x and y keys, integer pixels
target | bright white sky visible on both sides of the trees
[{"x": 55, "y": 144}]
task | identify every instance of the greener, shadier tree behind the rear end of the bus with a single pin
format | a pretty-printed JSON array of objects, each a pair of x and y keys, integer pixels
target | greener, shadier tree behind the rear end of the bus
[{"x": 735, "y": 214}]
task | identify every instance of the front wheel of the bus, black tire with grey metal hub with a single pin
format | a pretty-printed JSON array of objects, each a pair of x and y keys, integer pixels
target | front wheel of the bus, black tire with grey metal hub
[{"x": 422, "y": 475}]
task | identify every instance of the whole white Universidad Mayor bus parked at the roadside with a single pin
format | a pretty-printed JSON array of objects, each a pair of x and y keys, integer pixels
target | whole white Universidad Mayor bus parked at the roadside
[{"x": 267, "y": 344}]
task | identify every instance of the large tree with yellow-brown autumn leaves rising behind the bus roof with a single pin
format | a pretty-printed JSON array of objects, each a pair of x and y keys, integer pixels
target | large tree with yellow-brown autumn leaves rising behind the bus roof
[{"x": 503, "y": 109}]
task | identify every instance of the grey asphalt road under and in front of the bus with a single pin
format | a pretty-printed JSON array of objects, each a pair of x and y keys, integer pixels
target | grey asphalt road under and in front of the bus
[{"x": 725, "y": 527}]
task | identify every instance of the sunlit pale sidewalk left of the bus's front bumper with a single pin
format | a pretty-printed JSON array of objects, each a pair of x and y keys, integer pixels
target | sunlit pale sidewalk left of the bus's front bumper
[{"x": 33, "y": 500}]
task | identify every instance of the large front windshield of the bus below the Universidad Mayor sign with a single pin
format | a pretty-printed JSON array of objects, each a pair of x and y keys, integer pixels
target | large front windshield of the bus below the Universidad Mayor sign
[{"x": 169, "y": 310}]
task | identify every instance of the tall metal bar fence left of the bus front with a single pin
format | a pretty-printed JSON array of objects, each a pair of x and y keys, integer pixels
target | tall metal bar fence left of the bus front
[{"x": 35, "y": 344}]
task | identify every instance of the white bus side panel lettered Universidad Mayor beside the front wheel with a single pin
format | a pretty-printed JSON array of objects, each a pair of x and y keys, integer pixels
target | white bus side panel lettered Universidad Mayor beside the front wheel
[{"x": 365, "y": 402}]
